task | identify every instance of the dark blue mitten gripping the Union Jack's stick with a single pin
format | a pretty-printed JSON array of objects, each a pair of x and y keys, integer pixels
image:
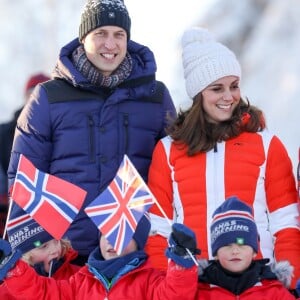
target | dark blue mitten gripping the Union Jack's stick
[{"x": 181, "y": 239}]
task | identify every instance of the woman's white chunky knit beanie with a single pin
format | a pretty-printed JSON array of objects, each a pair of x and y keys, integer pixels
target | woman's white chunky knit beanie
[{"x": 205, "y": 60}]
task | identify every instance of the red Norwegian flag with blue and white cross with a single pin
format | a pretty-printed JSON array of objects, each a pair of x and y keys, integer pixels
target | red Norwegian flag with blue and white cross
[{"x": 49, "y": 200}]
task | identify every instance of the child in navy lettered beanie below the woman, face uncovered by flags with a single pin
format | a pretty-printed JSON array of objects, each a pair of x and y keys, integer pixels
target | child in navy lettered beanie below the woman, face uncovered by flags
[{"x": 235, "y": 274}]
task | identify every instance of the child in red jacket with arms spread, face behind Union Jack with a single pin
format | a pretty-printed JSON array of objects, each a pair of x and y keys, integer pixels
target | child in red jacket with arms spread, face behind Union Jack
[{"x": 108, "y": 275}]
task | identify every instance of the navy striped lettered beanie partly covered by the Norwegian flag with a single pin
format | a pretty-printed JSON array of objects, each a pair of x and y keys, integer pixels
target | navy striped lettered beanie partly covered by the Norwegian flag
[{"x": 23, "y": 232}]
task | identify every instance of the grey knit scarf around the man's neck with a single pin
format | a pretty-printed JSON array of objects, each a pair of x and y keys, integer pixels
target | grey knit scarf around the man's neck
[{"x": 94, "y": 76}]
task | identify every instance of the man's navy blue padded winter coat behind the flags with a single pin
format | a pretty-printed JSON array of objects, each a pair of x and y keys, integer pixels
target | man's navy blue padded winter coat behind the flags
[{"x": 80, "y": 133}]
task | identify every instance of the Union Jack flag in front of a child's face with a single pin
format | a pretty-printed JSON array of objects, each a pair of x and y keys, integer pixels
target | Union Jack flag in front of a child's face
[{"x": 118, "y": 209}]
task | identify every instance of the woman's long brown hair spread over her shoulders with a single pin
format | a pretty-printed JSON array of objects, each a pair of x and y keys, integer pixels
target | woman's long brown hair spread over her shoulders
[{"x": 192, "y": 130}]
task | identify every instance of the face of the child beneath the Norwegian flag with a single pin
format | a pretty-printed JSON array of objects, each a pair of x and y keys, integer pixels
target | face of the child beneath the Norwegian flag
[{"x": 45, "y": 253}]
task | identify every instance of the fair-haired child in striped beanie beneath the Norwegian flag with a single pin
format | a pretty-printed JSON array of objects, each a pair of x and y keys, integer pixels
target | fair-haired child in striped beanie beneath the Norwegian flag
[{"x": 48, "y": 256}]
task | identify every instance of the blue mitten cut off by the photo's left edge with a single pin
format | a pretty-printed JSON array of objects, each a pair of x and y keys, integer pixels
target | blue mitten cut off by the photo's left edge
[{"x": 8, "y": 258}]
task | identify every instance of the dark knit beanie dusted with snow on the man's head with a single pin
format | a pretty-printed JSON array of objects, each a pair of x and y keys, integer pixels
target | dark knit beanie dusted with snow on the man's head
[{"x": 98, "y": 13}]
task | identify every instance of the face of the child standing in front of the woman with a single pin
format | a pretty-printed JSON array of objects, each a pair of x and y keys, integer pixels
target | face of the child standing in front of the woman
[{"x": 235, "y": 258}]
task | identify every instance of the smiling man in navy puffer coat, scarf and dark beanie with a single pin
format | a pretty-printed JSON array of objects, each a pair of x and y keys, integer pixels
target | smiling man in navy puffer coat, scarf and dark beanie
[{"x": 103, "y": 102}]
